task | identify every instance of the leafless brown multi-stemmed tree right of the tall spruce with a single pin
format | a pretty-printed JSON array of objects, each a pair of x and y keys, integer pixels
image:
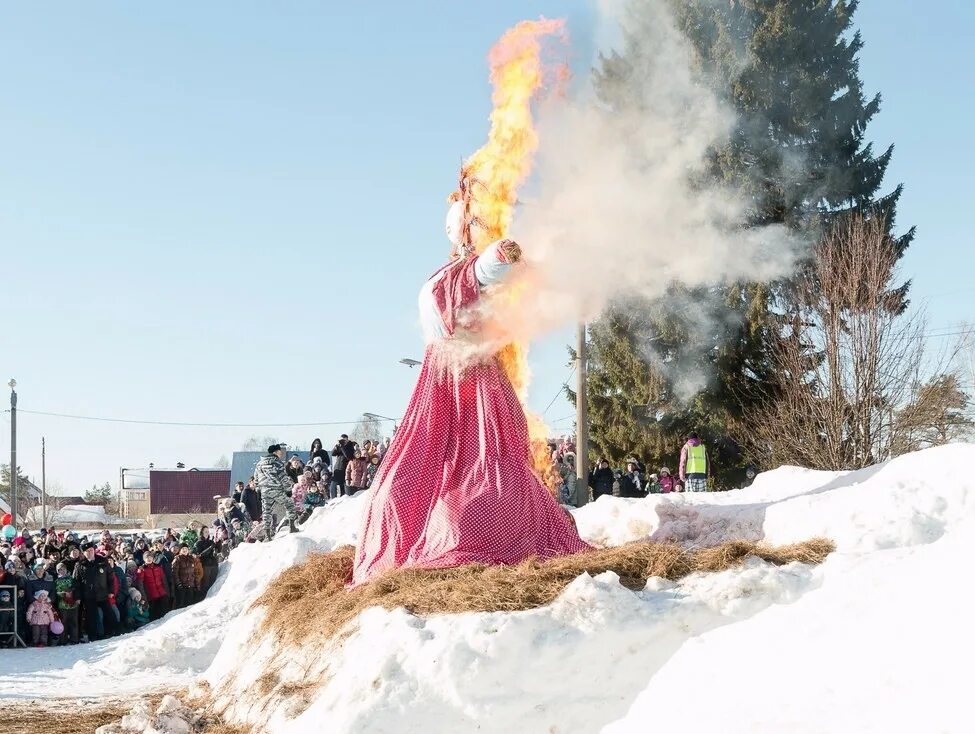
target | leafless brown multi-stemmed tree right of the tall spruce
[{"x": 851, "y": 371}]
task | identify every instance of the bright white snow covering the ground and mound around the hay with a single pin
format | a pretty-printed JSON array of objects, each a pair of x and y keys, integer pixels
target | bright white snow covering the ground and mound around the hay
[{"x": 875, "y": 639}]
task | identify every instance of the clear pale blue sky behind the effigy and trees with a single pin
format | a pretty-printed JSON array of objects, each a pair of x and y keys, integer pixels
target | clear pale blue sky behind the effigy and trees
[{"x": 222, "y": 211}]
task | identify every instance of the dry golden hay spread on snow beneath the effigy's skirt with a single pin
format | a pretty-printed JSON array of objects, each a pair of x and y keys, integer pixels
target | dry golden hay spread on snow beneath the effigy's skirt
[{"x": 316, "y": 589}]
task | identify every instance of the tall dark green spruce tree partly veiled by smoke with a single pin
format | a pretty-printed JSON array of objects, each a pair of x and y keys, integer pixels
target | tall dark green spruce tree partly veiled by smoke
[{"x": 798, "y": 152}]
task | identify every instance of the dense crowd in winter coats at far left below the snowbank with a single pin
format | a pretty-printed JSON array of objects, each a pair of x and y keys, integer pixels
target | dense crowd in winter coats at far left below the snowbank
[{"x": 69, "y": 590}]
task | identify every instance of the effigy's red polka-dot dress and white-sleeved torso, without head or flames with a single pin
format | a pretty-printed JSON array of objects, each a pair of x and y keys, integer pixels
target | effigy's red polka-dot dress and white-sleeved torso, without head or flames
[{"x": 457, "y": 484}]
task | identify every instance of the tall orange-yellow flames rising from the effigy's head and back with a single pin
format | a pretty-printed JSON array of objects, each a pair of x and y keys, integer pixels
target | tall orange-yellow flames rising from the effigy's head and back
[{"x": 490, "y": 178}]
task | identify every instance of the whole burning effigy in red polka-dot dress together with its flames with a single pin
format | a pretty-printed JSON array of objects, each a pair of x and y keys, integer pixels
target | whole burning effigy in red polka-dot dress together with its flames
[{"x": 464, "y": 478}]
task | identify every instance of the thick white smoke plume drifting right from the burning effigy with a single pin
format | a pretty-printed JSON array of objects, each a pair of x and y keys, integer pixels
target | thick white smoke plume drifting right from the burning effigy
[{"x": 617, "y": 208}]
